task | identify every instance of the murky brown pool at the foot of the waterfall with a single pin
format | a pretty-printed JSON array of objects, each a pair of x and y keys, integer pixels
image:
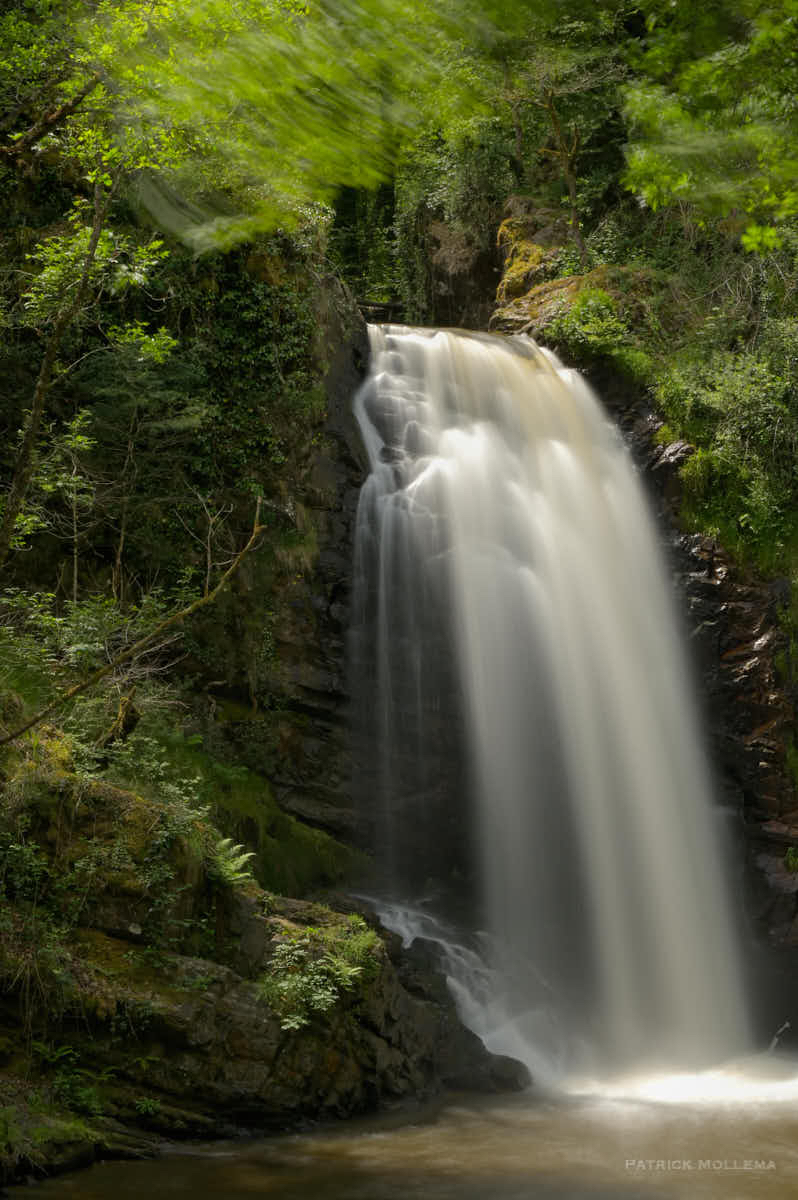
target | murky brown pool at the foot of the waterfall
[{"x": 718, "y": 1136}]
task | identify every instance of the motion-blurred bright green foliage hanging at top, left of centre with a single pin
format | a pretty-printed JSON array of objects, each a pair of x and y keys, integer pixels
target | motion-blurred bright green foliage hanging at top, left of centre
[{"x": 322, "y": 100}]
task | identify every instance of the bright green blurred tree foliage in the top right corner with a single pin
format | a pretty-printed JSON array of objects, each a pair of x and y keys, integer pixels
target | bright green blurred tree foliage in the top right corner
[{"x": 712, "y": 115}]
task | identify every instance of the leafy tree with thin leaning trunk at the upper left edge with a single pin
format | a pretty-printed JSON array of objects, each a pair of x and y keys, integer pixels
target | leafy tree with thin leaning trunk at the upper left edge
[{"x": 55, "y": 82}]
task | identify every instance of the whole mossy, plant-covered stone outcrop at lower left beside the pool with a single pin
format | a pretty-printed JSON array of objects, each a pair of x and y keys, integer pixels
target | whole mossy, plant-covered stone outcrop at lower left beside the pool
[{"x": 148, "y": 1006}]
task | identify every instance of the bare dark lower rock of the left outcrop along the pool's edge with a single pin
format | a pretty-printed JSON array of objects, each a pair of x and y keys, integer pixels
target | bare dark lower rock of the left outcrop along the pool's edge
[{"x": 203, "y": 1055}]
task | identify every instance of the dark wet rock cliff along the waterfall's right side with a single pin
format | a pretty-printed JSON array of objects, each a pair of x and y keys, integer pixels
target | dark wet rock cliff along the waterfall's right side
[{"x": 739, "y": 650}]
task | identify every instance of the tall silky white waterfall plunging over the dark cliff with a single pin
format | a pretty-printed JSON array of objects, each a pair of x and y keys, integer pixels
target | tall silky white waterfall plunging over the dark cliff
[{"x": 525, "y": 717}]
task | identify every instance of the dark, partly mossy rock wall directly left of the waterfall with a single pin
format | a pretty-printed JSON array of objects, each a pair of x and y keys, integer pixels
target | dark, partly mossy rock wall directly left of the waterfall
[{"x": 279, "y": 700}]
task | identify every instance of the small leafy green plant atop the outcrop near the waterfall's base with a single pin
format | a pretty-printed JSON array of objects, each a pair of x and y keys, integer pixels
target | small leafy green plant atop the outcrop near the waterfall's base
[{"x": 310, "y": 971}]
